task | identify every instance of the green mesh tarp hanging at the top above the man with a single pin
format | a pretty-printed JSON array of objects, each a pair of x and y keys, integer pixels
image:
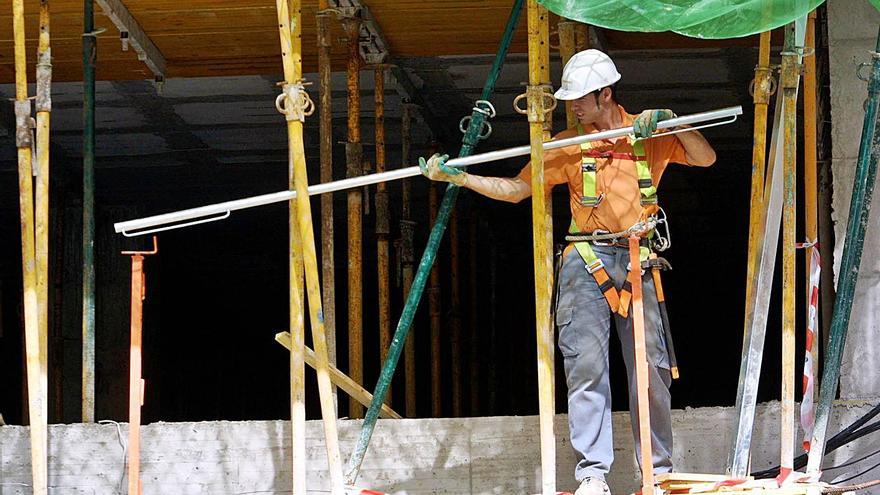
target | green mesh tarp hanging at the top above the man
[{"x": 696, "y": 18}]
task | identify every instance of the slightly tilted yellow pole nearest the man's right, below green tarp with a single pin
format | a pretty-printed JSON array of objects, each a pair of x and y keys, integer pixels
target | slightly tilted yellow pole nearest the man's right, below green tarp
[{"x": 761, "y": 97}]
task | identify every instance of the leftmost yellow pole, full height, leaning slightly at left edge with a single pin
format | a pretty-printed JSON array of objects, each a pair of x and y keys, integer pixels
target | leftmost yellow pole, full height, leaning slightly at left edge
[{"x": 37, "y": 386}]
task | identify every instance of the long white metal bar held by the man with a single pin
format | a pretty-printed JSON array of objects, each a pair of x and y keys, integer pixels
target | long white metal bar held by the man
[{"x": 185, "y": 217}]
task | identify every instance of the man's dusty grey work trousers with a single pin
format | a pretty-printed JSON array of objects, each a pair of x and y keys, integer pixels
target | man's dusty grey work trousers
[{"x": 583, "y": 318}]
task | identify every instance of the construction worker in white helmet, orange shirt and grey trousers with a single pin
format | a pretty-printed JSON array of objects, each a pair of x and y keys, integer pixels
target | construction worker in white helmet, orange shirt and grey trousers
[{"x": 612, "y": 187}]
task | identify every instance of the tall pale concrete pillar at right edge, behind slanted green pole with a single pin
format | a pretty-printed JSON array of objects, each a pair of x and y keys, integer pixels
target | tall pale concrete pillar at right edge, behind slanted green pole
[{"x": 852, "y": 32}]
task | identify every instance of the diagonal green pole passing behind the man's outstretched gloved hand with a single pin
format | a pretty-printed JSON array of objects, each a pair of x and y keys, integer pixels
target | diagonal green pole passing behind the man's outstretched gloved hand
[{"x": 469, "y": 142}]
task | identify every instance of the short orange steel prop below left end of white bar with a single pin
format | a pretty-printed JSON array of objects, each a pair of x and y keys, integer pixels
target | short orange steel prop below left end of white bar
[{"x": 135, "y": 380}]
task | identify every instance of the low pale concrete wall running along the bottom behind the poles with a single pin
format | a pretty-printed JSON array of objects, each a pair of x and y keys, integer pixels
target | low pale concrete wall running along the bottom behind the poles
[{"x": 459, "y": 456}]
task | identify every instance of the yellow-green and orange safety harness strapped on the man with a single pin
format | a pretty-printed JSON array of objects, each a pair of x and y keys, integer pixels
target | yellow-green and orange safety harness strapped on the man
[{"x": 591, "y": 197}]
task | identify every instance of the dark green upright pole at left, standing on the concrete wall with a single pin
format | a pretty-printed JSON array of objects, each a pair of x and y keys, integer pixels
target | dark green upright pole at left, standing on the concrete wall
[{"x": 90, "y": 57}]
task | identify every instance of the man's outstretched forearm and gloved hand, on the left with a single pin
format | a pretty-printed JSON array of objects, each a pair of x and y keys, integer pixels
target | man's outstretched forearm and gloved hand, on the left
[{"x": 512, "y": 189}]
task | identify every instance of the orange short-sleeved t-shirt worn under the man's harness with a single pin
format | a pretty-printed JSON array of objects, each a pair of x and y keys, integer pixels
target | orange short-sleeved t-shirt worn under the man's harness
[{"x": 616, "y": 178}]
